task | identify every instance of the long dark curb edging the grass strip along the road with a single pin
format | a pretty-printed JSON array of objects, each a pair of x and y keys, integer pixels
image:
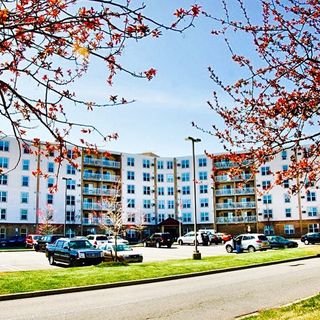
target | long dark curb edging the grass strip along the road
[{"x": 22, "y": 295}]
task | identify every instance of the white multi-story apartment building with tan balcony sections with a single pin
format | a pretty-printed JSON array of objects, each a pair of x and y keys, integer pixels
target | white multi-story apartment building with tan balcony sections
[{"x": 152, "y": 190}]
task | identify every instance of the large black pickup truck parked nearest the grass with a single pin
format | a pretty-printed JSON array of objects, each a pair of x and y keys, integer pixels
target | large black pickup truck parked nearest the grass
[{"x": 73, "y": 252}]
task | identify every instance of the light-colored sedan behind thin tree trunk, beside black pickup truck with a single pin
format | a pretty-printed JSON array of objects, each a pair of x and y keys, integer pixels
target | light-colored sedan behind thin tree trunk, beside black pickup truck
[{"x": 124, "y": 253}]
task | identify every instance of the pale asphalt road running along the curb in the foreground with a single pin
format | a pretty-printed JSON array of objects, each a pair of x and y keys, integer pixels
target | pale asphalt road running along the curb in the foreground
[{"x": 219, "y": 296}]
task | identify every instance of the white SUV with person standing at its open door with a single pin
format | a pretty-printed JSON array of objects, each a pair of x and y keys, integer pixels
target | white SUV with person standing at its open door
[{"x": 249, "y": 241}]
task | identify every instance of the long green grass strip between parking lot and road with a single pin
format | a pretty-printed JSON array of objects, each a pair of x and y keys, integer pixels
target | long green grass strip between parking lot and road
[{"x": 28, "y": 281}]
